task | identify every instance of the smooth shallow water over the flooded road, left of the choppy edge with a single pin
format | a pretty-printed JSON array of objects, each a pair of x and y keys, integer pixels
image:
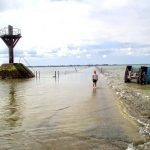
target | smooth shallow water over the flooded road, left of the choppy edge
[{"x": 63, "y": 114}]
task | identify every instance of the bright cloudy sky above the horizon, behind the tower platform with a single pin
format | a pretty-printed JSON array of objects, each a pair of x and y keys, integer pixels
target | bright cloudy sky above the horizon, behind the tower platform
[{"x": 68, "y": 32}]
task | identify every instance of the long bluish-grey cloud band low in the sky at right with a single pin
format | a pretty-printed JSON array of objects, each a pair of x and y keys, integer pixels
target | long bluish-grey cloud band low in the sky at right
[{"x": 114, "y": 48}]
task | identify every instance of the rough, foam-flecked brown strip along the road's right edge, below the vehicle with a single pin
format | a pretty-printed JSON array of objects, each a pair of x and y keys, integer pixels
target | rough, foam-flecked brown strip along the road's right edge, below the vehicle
[{"x": 135, "y": 104}]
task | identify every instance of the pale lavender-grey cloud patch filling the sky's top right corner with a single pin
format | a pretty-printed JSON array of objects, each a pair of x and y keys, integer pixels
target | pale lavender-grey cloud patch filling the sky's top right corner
[{"x": 134, "y": 16}]
